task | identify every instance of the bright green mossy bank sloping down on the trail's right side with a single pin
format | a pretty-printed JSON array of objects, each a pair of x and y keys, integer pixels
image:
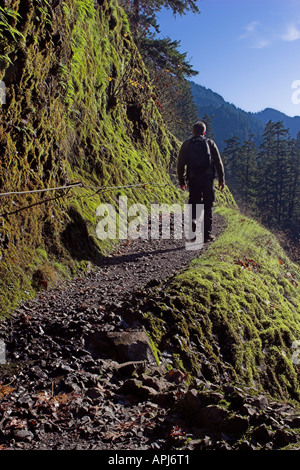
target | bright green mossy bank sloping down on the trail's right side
[{"x": 237, "y": 307}]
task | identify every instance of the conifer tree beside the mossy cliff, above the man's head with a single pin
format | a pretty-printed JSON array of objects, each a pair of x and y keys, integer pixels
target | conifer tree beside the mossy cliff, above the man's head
[{"x": 168, "y": 67}]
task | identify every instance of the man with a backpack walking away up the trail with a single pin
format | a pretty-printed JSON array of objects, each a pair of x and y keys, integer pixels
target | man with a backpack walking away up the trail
[{"x": 201, "y": 159}]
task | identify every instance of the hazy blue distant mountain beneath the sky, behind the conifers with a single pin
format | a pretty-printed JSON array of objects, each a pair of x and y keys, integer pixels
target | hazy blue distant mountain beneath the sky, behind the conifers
[{"x": 229, "y": 121}]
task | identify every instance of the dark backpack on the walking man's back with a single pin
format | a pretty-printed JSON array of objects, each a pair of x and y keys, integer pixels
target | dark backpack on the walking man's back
[{"x": 199, "y": 156}]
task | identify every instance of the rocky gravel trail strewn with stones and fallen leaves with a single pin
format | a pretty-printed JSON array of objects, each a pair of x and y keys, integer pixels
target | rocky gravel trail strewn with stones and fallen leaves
[{"x": 81, "y": 376}]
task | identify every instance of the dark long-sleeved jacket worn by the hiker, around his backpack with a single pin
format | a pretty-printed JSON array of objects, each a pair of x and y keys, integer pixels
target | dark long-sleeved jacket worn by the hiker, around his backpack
[{"x": 217, "y": 164}]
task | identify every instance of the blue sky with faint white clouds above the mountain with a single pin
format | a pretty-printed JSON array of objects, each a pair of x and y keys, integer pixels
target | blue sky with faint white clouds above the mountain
[{"x": 248, "y": 51}]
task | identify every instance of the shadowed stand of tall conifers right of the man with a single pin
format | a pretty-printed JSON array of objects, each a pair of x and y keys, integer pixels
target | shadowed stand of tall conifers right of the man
[{"x": 265, "y": 179}]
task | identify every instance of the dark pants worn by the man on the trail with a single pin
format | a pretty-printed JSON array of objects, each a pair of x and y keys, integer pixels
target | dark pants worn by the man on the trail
[{"x": 202, "y": 191}]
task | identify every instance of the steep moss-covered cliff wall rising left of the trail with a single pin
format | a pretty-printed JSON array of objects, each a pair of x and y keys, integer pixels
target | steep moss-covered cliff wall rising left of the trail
[{"x": 78, "y": 108}]
